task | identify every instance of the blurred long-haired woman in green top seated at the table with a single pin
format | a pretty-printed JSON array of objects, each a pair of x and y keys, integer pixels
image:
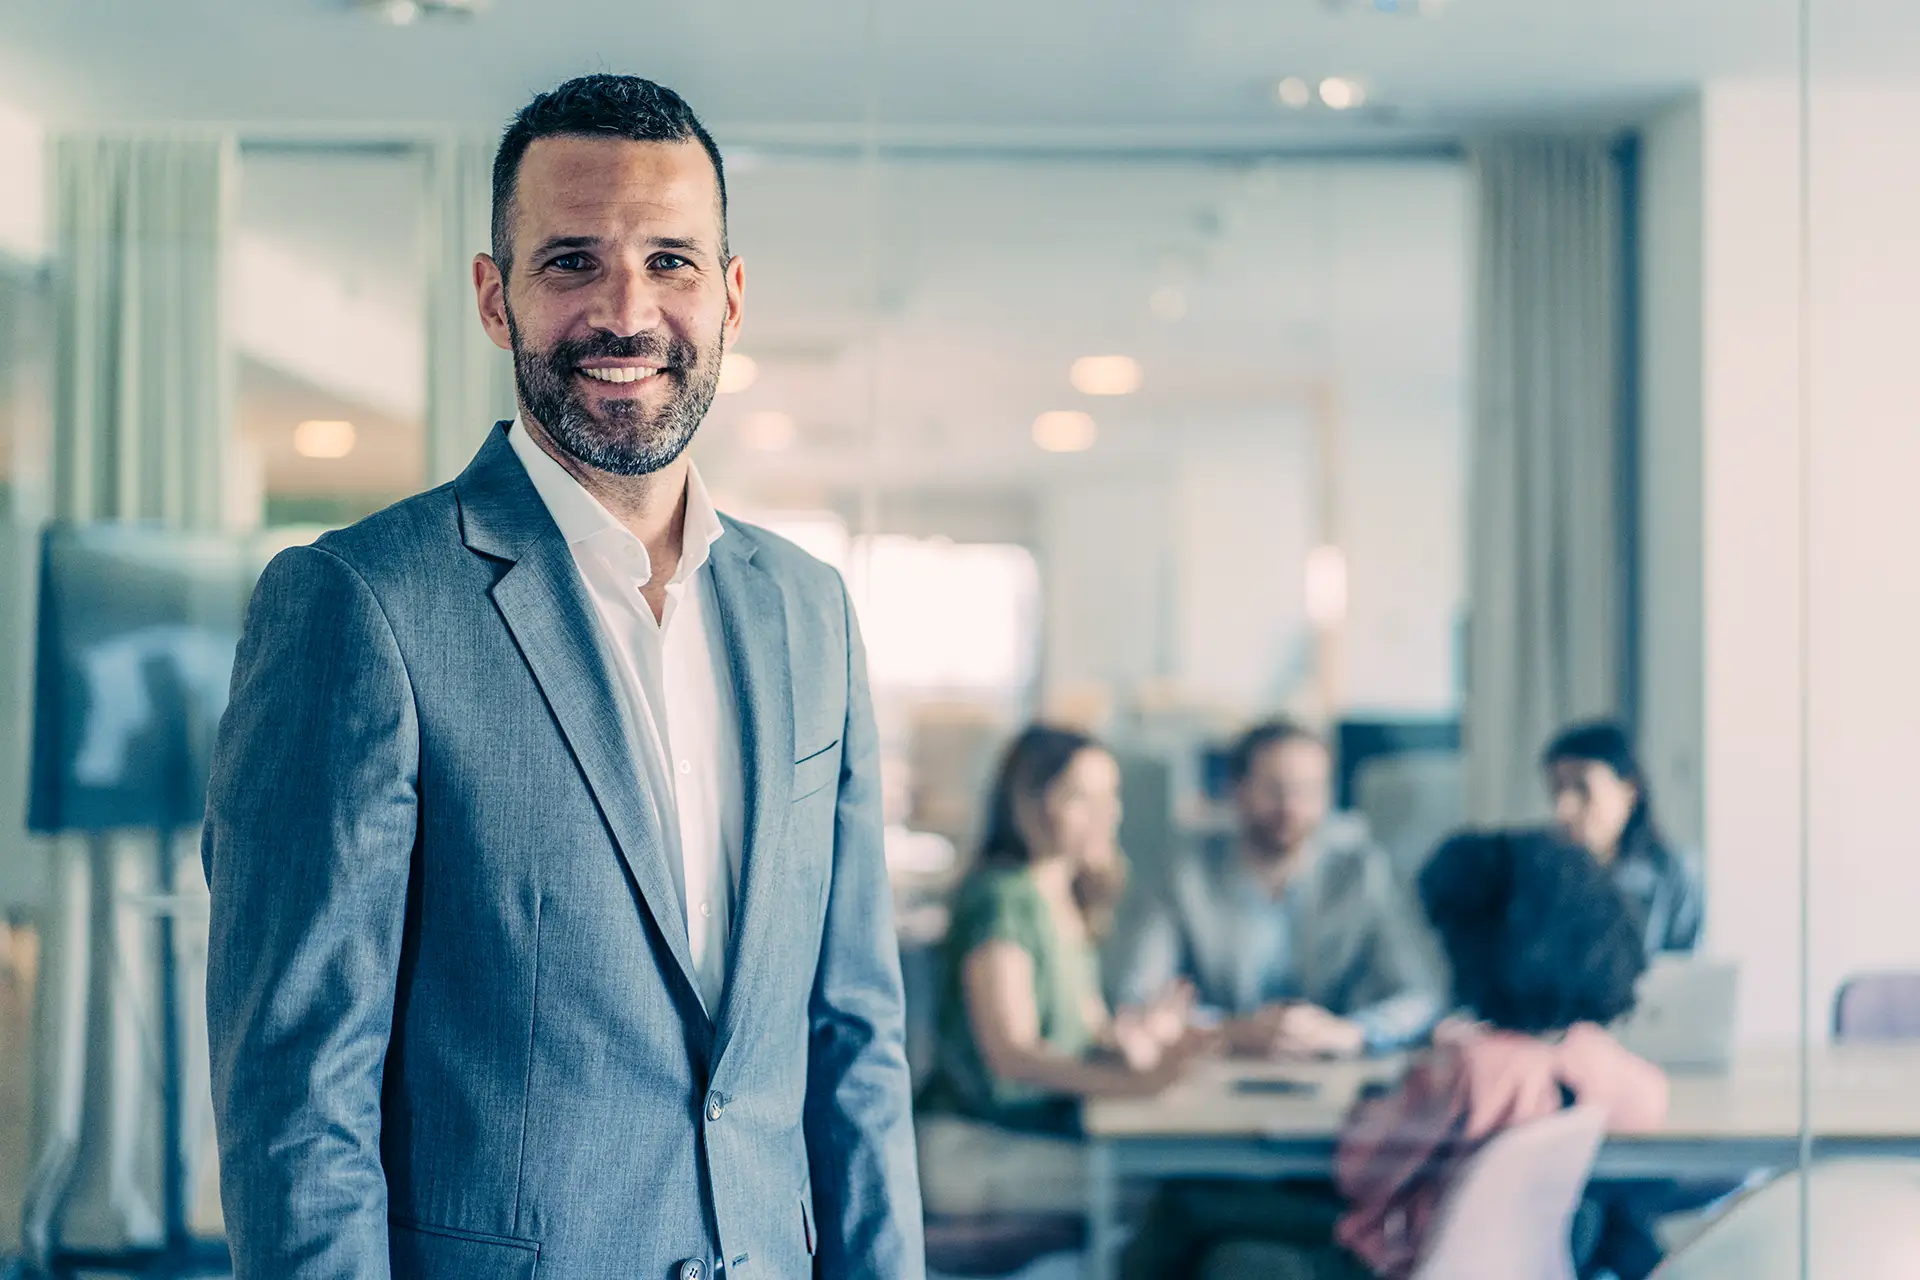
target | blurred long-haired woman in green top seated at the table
[{"x": 1024, "y": 1033}]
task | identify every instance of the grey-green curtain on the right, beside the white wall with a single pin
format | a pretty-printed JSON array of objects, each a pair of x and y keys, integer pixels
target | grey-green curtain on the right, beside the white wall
[{"x": 1547, "y": 548}]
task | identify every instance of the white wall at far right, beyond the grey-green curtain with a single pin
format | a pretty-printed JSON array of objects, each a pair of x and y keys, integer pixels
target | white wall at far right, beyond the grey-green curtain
[{"x": 1735, "y": 158}]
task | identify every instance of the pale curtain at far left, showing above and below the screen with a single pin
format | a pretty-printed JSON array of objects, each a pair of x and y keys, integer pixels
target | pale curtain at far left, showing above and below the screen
[{"x": 143, "y": 429}]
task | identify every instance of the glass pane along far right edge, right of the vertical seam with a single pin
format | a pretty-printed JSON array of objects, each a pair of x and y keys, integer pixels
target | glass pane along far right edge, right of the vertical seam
[{"x": 1858, "y": 446}]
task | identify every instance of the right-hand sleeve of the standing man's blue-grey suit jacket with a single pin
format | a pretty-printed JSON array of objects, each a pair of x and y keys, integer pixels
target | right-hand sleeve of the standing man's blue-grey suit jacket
[{"x": 859, "y": 1093}]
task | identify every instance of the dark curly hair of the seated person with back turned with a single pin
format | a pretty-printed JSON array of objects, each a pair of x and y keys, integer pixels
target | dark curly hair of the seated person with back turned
[{"x": 1537, "y": 934}]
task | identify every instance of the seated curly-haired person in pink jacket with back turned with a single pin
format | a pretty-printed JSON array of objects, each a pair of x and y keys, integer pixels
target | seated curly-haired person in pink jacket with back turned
[{"x": 1545, "y": 957}]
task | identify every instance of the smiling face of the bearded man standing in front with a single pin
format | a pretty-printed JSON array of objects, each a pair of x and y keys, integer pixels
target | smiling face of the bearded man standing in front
[{"x": 617, "y": 304}]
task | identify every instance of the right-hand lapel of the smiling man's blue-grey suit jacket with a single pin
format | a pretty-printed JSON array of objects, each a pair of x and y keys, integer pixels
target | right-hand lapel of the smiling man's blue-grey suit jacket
[{"x": 754, "y": 619}]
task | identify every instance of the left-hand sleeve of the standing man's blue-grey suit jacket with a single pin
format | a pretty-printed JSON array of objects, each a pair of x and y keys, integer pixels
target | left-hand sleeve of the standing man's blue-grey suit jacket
[{"x": 308, "y": 849}]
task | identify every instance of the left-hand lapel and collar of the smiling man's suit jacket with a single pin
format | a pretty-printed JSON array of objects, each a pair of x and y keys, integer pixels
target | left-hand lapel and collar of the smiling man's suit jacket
[{"x": 550, "y": 617}]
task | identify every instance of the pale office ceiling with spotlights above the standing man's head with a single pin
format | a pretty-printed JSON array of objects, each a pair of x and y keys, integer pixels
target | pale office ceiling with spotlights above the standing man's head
[{"x": 1109, "y": 70}]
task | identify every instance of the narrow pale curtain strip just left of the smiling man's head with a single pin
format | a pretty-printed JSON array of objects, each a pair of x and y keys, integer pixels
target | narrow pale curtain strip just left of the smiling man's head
[{"x": 469, "y": 381}]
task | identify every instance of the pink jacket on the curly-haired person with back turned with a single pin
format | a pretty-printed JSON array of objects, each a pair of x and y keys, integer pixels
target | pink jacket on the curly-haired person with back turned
[{"x": 1401, "y": 1150}]
